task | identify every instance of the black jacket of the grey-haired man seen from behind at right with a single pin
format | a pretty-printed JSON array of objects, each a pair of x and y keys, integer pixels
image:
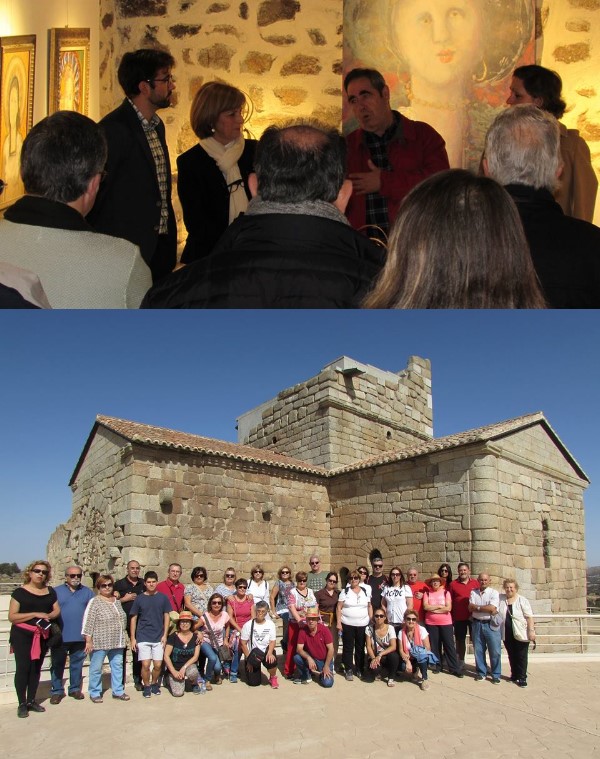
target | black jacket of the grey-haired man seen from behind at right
[{"x": 565, "y": 250}]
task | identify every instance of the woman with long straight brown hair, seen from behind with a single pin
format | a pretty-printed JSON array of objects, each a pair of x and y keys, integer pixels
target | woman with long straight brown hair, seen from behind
[{"x": 457, "y": 242}]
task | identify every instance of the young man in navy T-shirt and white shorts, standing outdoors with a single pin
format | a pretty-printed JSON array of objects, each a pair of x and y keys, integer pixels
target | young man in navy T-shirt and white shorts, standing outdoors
[{"x": 149, "y": 624}]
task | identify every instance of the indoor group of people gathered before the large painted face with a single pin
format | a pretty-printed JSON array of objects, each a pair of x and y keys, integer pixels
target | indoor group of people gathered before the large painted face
[{"x": 303, "y": 218}]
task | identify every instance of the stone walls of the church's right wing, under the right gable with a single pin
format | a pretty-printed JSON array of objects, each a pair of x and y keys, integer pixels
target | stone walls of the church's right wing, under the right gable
[{"x": 512, "y": 518}]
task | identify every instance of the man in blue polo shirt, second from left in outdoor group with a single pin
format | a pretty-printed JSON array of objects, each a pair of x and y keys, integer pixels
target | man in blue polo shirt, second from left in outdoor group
[{"x": 73, "y": 597}]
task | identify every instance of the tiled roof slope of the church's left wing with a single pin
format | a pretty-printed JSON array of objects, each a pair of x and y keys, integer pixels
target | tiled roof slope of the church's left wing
[{"x": 183, "y": 441}]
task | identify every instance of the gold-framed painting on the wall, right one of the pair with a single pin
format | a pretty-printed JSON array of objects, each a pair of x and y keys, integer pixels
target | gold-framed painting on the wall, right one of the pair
[{"x": 69, "y": 70}]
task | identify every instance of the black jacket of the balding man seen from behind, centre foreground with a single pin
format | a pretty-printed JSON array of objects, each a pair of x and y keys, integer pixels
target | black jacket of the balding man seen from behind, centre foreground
[{"x": 276, "y": 260}]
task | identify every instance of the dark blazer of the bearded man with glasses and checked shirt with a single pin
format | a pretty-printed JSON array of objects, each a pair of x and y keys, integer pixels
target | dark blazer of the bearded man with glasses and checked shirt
[{"x": 128, "y": 202}]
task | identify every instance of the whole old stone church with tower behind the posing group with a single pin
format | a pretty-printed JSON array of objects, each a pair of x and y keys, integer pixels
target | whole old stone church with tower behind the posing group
[{"x": 340, "y": 464}]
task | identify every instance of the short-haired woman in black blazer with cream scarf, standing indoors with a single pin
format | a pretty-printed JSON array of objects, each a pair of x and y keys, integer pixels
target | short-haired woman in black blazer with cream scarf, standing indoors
[{"x": 213, "y": 176}]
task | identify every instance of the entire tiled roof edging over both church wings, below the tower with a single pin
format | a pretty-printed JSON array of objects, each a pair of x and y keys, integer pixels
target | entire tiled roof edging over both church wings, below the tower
[{"x": 162, "y": 437}]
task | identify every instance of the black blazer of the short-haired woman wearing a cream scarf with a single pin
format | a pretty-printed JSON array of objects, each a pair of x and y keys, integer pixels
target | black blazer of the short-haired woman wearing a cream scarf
[{"x": 204, "y": 197}]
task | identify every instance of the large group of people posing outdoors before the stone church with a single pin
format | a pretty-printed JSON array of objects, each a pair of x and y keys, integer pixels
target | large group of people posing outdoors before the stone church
[{"x": 195, "y": 634}]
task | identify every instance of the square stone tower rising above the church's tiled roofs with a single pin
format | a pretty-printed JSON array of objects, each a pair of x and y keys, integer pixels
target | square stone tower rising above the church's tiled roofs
[{"x": 349, "y": 411}]
